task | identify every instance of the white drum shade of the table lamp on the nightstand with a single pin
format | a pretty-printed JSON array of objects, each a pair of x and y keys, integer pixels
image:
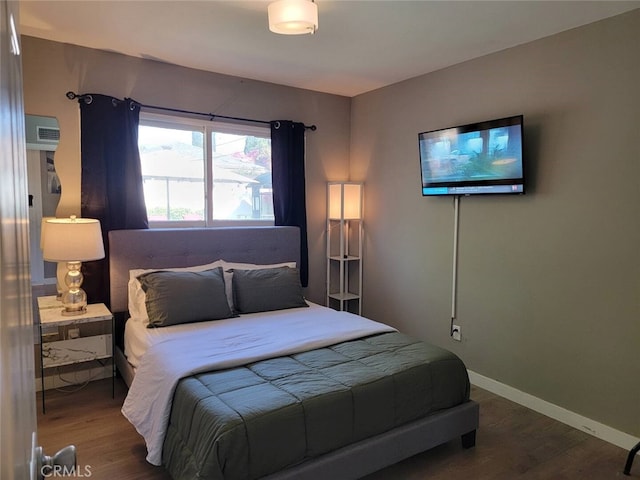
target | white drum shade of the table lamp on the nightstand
[{"x": 72, "y": 239}]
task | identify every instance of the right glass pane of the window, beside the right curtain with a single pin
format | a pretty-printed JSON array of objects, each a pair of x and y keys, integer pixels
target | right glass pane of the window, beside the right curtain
[{"x": 241, "y": 177}]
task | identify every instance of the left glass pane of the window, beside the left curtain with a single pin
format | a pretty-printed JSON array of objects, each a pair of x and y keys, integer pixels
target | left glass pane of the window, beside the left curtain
[{"x": 172, "y": 162}]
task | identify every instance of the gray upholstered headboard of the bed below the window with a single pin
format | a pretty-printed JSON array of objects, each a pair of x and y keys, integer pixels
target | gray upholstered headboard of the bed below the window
[{"x": 164, "y": 248}]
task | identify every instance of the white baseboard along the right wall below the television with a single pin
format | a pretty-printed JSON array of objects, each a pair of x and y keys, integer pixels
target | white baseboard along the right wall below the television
[{"x": 599, "y": 430}]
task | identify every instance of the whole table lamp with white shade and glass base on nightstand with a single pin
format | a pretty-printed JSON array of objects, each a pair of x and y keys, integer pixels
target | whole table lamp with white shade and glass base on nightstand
[{"x": 72, "y": 240}]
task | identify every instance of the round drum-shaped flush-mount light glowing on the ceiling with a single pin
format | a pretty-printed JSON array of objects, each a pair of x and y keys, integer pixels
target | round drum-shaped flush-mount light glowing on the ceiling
[{"x": 293, "y": 17}]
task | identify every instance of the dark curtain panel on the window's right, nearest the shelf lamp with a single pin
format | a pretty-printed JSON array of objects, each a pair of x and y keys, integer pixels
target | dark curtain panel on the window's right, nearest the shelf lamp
[{"x": 287, "y": 171}]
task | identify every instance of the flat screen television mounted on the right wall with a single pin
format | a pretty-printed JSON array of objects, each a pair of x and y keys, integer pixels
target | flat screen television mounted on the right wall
[{"x": 479, "y": 158}]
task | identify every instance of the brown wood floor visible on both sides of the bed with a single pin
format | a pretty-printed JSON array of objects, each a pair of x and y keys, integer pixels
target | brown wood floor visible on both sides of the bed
[{"x": 512, "y": 443}]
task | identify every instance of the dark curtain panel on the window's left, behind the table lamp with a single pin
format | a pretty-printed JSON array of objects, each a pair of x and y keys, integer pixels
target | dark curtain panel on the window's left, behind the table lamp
[{"x": 111, "y": 185}]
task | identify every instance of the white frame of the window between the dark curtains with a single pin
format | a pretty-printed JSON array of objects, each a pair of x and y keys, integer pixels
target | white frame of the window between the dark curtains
[{"x": 207, "y": 127}]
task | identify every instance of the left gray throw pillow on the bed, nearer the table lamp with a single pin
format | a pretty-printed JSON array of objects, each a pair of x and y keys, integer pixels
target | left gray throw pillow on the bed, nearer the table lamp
[{"x": 173, "y": 298}]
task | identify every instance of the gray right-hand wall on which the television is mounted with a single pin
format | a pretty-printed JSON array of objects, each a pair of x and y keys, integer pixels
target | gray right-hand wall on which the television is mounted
[{"x": 549, "y": 282}]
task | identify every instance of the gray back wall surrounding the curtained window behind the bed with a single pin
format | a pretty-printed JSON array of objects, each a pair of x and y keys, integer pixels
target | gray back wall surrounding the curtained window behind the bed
[{"x": 51, "y": 69}]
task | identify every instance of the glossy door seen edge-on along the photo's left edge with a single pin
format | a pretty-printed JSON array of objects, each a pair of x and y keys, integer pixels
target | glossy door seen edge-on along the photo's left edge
[{"x": 18, "y": 432}]
